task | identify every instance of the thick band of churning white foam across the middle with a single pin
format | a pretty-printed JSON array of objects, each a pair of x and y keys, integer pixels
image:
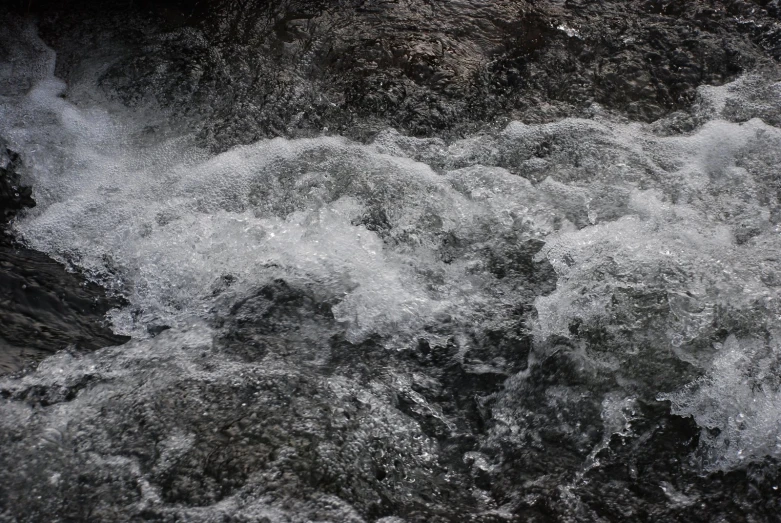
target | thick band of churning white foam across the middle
[{"x": 625, "y": 211}]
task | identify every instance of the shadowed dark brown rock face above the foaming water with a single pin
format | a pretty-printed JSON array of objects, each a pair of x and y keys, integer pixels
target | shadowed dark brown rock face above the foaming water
[{"x": 242, "y": 70}]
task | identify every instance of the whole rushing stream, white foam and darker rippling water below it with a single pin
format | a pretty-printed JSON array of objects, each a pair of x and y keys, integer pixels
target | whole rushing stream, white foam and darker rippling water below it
[{"x": 282, "y": 296}]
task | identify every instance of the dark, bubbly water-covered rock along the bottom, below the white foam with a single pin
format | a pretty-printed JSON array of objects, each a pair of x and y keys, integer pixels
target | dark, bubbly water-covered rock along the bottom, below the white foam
[{"x": 265, "y": 424}]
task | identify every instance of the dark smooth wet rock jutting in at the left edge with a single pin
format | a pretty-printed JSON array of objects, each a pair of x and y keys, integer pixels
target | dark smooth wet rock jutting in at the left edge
[{"x": 43, "y": 307}]
